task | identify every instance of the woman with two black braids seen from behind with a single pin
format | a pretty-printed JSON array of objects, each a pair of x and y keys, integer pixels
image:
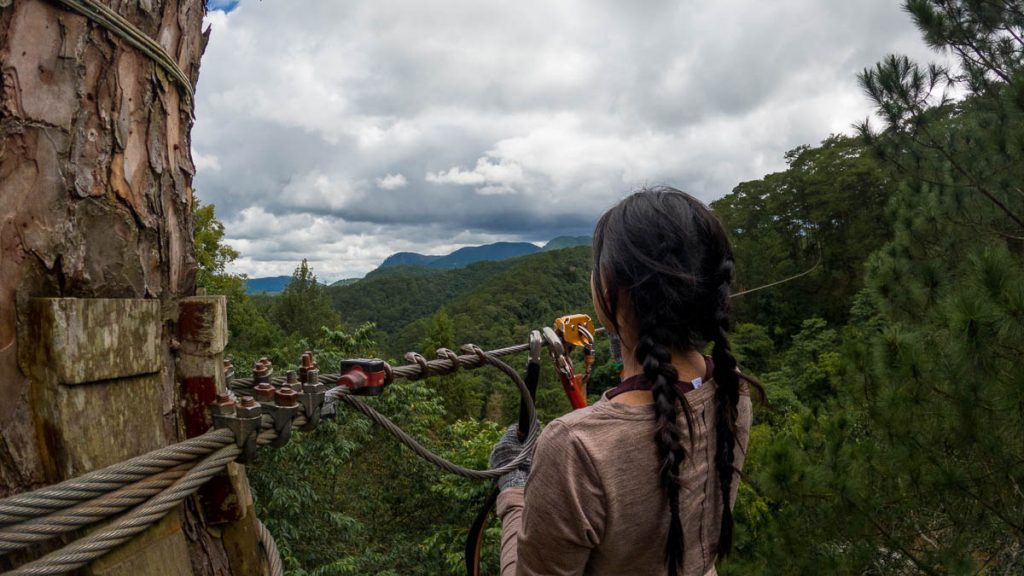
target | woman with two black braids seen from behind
[{"x": 644, "y": 481}]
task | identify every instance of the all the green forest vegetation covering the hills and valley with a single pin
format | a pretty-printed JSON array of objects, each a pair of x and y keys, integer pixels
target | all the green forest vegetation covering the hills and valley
[{"x": 892, "y": 438}]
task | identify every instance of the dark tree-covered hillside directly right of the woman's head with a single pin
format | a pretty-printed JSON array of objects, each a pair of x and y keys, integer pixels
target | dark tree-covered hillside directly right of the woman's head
[{"x": 829, "y": 205}]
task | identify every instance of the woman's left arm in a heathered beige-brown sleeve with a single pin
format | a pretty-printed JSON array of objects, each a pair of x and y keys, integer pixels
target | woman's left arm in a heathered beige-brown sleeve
[{"x": 551, "y": 526}]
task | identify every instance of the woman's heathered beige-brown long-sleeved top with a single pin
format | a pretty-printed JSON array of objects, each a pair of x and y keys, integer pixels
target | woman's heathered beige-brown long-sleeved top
[{"x": 593, "y": 504}]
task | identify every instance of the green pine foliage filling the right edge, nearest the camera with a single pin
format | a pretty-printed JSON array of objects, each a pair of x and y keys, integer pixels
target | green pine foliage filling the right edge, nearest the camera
[{"x": 904, "y": 451}]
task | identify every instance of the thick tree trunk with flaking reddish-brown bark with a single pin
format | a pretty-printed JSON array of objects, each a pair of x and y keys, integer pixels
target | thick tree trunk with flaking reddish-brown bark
[{"x": 96, "y": 201}]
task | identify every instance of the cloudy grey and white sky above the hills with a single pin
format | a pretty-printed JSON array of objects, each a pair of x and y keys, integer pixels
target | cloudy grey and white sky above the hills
[{"x": 345, "y": 132}]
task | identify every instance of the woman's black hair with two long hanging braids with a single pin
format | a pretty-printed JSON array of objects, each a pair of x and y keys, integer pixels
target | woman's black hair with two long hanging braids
[{"x": 669, "y": 257}]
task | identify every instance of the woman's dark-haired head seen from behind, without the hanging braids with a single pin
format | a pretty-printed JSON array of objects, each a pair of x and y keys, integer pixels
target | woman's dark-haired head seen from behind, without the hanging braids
[{"x": 668, "y": 257}]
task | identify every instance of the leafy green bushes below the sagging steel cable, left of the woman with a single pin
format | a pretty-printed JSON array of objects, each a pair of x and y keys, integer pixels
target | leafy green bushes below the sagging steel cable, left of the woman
[{"x": 348, "y": 500}]
